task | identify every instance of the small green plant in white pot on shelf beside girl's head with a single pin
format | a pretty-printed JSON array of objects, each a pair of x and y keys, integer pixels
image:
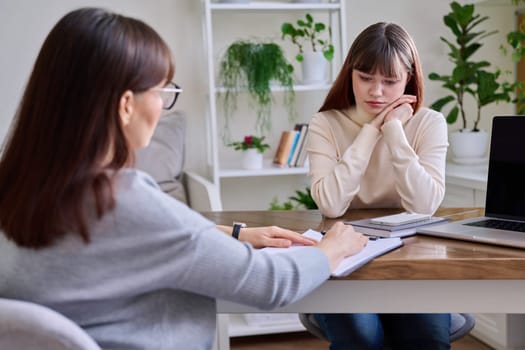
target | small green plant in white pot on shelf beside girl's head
[{"x": 318, "y": 49}]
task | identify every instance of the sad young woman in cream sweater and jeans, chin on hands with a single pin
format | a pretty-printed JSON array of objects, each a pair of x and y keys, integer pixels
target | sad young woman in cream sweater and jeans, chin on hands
[{"x": 374, "y": 145}]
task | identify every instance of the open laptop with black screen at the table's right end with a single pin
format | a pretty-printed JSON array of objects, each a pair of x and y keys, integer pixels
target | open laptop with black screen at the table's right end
[{"x": 504, "y": 220}]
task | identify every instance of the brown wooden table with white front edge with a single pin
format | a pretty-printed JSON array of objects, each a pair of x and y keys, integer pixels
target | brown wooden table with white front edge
[{"x": 426, "y": 274}]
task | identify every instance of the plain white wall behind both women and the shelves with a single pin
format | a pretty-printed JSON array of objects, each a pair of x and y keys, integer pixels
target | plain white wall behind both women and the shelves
[{"x": 25, "y": 23}]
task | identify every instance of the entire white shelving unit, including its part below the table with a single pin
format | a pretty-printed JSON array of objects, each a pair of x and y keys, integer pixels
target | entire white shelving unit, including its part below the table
[{"x": 221, "y": 169}]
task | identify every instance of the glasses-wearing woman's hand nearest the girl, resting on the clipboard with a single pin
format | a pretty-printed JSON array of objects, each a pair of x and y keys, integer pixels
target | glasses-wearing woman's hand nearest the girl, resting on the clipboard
[{"x": 341, "y": 241}]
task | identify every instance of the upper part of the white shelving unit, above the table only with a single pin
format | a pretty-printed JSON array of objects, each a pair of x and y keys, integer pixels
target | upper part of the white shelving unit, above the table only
[{"x": 217, "y": 167}]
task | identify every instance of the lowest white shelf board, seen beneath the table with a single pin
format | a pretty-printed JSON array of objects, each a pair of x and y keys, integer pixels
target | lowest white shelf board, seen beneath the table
[{"x": 239, "y": 328}]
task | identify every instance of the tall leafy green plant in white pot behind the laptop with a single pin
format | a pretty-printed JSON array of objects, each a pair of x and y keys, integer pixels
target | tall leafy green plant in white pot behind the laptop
[{"x": 468, "y": 78}]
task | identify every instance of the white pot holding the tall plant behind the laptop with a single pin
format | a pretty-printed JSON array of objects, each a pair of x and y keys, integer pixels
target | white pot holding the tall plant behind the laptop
[{"x": 468, "y": 146}]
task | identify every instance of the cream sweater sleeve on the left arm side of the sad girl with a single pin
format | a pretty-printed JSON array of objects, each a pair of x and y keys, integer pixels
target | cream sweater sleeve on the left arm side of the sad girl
[{"x": 335, "y": 175}]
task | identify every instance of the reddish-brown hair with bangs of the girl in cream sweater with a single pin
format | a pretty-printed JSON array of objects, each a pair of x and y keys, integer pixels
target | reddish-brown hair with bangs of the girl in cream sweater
[{"x": 378, "y": 48}]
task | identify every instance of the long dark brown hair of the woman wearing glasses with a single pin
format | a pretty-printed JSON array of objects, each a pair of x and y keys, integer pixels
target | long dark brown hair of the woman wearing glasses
[{"x": 67, "y": 124}]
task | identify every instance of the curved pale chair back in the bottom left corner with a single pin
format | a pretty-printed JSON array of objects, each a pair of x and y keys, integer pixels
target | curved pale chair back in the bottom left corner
[{"x": 29, "y": 326}]
